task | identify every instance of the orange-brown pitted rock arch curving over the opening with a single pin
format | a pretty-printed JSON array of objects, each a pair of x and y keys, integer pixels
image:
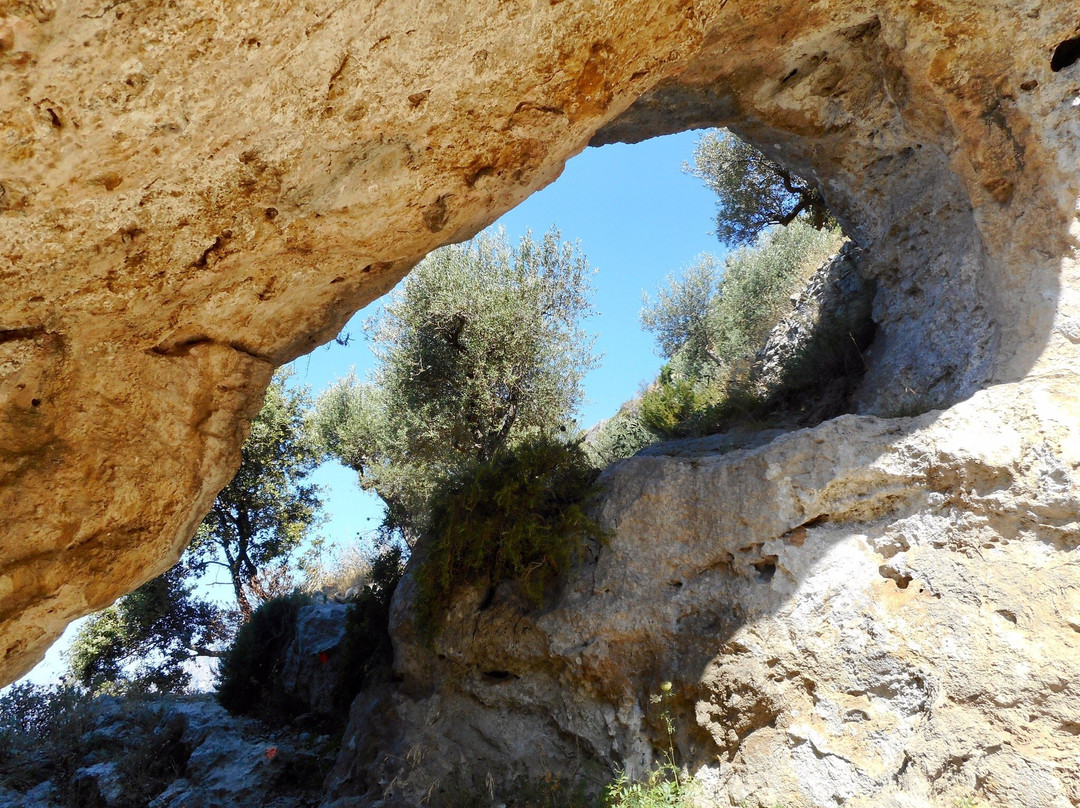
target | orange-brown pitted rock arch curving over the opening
[{"x": 192, "y": 194}]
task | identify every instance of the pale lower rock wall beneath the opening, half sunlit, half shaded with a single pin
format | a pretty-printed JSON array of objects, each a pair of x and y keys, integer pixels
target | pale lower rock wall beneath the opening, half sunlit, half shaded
[{"x": 874, "y": 613}]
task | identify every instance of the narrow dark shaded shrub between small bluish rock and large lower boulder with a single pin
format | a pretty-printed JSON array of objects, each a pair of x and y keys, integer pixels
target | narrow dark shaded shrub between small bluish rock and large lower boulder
[{"x": 367, "y": 651}]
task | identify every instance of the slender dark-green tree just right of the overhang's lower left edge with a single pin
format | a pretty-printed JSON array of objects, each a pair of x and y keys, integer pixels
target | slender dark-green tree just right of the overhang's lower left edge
[{"x": 262, "y": 518}]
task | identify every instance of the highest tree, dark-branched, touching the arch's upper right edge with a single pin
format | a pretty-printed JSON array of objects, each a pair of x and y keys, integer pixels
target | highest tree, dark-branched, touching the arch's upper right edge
[{"x": 754, "y": 193}]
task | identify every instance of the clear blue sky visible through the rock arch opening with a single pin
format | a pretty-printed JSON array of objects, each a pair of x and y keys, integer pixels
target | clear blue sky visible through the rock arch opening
[{"x": 638, "y": 218}]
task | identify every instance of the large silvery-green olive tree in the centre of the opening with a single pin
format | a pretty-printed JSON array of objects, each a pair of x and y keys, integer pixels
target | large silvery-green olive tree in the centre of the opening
[{"x": 480, "y": 348}]
